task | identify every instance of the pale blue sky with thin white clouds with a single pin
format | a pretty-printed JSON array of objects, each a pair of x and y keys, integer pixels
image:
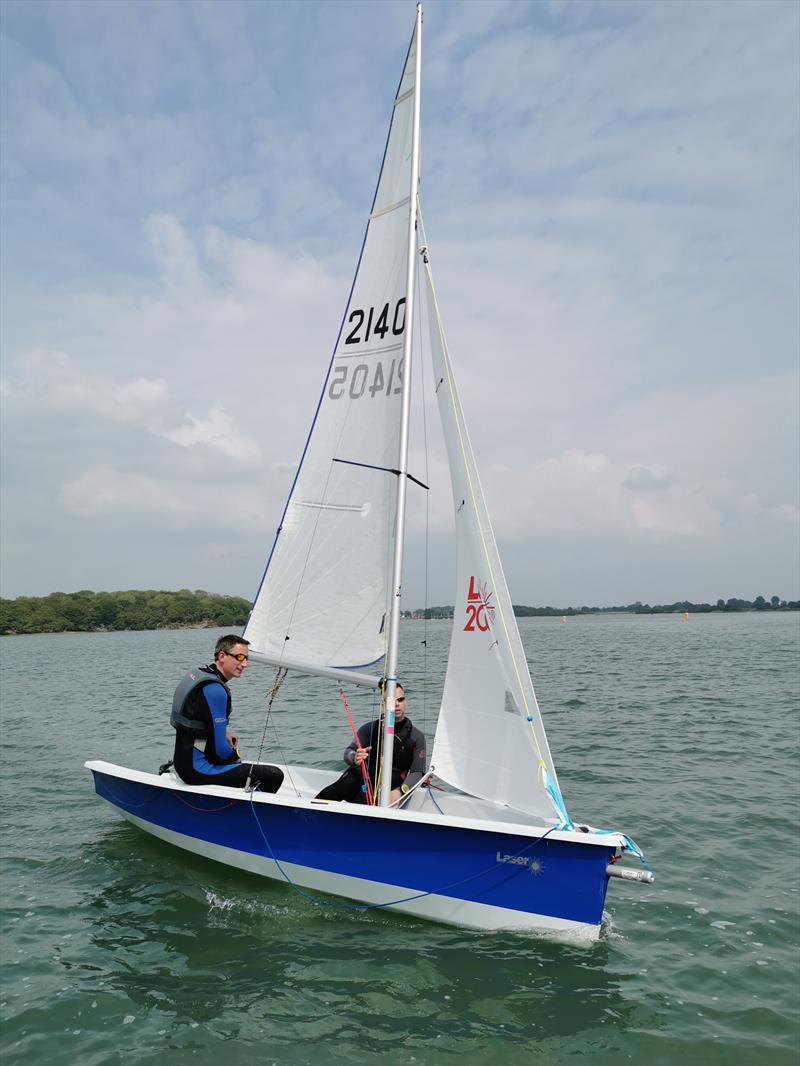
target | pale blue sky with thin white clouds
[{"x": 612, "y": 196}]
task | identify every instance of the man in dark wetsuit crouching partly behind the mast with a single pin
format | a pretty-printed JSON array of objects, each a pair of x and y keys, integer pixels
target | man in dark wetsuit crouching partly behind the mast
[{"x": 408, "y": 760}]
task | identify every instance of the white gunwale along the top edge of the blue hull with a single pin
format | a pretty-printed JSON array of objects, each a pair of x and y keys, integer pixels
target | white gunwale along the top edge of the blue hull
[{"x": 609, "y": 841}]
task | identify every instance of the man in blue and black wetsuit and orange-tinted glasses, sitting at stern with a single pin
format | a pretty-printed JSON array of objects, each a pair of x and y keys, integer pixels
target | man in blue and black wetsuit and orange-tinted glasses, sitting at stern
[{"x": 205, "y": 749}]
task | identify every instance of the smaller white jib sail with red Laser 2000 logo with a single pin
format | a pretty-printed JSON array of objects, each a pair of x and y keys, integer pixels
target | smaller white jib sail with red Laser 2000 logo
[{"x": 490, "y": 738}]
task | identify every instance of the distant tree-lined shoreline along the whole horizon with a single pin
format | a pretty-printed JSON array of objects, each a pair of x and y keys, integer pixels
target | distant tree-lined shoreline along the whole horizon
[{"x": 142, "y": 611}]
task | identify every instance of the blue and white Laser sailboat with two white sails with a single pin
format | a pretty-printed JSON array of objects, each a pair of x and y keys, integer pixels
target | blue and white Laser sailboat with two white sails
[{"x": 485, "y": 841}]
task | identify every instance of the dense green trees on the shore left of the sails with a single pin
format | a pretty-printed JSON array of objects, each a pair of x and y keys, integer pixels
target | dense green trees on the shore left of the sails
[{"x": 92, "y": 612}]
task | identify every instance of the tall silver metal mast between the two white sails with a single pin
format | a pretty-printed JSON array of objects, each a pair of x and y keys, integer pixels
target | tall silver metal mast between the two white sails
[{"x": 397, "y": 571}]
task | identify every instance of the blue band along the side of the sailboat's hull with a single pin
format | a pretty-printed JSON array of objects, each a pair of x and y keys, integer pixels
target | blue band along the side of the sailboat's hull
[{"x": 552, "y": 878}]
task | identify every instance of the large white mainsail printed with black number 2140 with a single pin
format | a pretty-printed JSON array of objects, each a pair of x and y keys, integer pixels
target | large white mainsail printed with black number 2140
[{"x": 325, "y": 596}]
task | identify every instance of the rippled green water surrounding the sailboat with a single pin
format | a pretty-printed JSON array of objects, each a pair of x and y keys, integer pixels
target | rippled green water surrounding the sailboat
[{"x": 118, "y": 949}]
